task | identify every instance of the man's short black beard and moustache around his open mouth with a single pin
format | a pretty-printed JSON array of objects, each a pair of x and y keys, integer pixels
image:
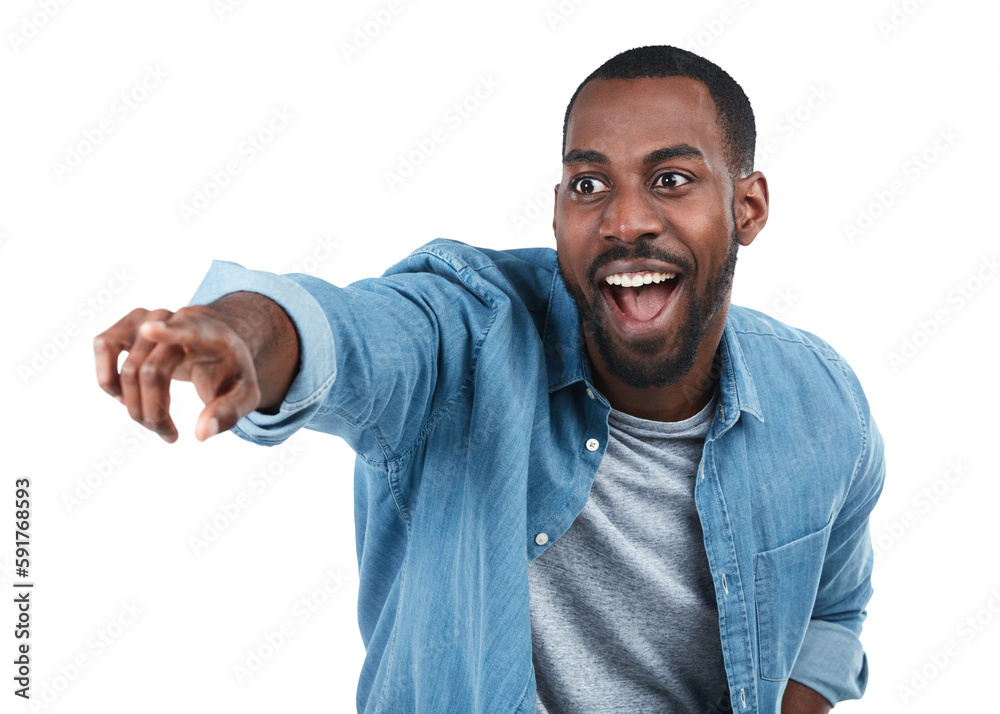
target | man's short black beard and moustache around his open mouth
[{"x": 638, "y": 363}]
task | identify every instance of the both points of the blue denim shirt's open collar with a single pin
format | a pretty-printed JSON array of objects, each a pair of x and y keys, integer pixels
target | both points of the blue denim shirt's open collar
[{"x": 566, "y": 359}]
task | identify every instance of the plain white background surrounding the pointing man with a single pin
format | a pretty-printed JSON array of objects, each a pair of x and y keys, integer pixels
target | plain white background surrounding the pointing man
[{"x": 884, "y": 84}]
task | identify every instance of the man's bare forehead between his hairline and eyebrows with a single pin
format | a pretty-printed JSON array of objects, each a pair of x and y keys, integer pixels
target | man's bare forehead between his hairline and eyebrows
[{"x": 624, "y": 118}]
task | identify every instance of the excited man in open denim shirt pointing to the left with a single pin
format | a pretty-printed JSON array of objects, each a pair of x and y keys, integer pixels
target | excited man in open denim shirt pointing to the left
[{"x": 584, "y": 482}]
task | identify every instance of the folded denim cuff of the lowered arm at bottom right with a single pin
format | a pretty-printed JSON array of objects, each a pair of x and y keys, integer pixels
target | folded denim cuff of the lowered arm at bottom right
[{"x": 832, "y": 662}]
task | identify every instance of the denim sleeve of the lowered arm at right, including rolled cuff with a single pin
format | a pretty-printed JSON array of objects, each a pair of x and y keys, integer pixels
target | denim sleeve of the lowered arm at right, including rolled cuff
[{"x": 832, "y": 660}]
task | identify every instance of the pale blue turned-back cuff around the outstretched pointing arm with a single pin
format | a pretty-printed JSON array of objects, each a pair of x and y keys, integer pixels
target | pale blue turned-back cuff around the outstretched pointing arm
[{"x": 317, "y": 354}]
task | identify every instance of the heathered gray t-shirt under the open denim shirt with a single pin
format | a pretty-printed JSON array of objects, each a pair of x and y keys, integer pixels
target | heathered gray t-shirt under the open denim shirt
[{"x": 623, "y": 610}]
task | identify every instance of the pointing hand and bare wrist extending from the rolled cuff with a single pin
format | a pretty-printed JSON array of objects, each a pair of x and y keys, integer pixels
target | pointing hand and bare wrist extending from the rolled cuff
[{"x": 241, "y": 352}]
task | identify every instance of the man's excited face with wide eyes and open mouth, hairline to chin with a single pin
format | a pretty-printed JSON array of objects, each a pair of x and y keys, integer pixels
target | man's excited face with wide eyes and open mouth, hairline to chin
[{"x": 645, "y": 193}]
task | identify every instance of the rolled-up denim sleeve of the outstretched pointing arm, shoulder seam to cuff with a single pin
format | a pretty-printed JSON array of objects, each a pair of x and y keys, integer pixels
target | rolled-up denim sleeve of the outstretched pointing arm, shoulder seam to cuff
[{"x": 378, "y": 357}]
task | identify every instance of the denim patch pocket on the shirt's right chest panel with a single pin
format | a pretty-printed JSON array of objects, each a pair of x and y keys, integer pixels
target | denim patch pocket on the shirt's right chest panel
[{"x": 785, "y": 583}]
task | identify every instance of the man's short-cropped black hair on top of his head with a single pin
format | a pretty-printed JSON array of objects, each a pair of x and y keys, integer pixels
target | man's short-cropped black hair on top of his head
[{"x": 735, "y": 115}]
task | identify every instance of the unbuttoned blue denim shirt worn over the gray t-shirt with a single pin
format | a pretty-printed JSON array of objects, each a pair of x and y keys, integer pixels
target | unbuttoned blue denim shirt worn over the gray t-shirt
[{"x": 460, "y": 379}]
